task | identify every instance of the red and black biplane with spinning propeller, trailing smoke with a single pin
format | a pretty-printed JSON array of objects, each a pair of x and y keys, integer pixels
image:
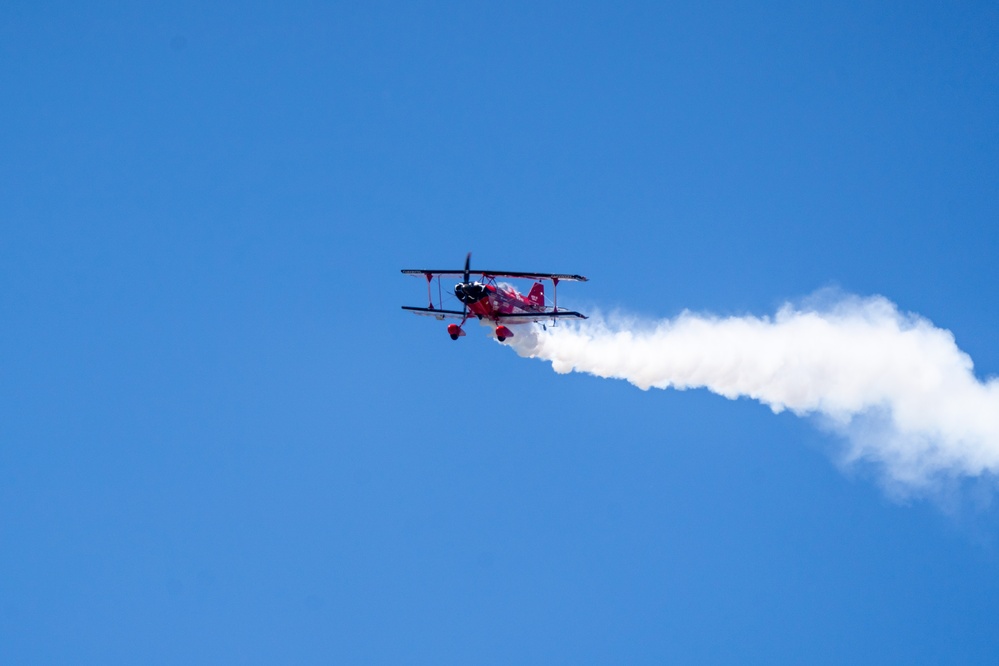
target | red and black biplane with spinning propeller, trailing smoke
[{"x": 496, "y": 302}]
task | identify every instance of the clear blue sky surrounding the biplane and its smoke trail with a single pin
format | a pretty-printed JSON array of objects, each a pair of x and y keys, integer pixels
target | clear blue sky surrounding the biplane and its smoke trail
[{"x": 221, "y": 441}]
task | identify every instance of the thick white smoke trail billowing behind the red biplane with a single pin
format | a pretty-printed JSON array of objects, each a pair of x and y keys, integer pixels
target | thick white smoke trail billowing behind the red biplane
[{"x": 899, "y": 389}]
